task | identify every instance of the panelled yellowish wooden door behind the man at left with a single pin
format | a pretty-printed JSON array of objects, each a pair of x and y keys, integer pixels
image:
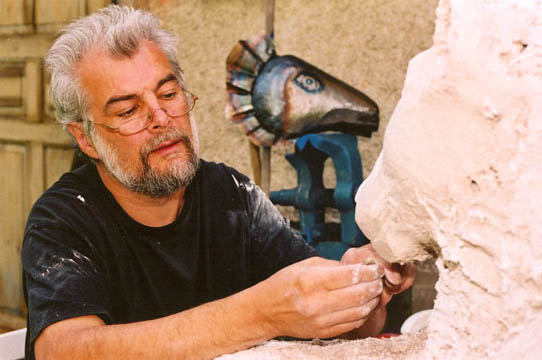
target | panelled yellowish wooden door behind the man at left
[{"x": 34, "y": 150}]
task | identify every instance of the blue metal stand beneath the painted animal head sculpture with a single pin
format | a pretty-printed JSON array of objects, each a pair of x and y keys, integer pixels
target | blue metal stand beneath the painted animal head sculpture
[{"x": 310, "y": 196}]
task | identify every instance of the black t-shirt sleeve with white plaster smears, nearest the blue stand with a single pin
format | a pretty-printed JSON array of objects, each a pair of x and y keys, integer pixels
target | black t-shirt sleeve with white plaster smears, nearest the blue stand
[{"x": 274, "y": 244}]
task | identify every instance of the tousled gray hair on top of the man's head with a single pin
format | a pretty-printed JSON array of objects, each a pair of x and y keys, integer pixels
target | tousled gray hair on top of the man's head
[{"x": 119, "y": 29}]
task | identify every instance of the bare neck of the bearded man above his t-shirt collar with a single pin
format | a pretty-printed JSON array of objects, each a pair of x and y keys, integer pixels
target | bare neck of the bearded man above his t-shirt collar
[{"x": 143, "y": 209}]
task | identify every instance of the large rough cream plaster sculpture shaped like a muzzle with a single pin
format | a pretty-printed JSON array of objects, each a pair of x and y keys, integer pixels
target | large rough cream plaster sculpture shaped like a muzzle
[{"x": 460, "y": 178}]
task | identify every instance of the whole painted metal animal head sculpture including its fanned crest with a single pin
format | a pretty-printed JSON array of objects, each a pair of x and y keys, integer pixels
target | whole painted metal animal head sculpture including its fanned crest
[{"x": 275, "y": 97}]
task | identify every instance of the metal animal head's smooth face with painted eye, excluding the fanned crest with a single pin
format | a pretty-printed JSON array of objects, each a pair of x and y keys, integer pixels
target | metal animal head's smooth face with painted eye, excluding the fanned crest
[{"x": 293, "y": 98}]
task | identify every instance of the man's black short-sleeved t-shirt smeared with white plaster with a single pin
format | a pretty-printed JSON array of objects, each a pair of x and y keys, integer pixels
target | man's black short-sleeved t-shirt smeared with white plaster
[{"x": 83, "y": 255}]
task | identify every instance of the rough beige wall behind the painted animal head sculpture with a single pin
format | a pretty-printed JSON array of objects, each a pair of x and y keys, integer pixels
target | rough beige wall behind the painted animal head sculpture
[{"x": 365, "y": 43}]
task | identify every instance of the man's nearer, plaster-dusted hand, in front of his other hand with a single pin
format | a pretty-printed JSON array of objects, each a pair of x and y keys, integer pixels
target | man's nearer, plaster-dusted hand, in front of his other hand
[{"x": 320, "y": 298}]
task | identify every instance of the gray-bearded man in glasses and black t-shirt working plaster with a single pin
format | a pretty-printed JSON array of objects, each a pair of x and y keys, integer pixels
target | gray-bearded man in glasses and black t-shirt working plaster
[{"x": 149, "y": 252}]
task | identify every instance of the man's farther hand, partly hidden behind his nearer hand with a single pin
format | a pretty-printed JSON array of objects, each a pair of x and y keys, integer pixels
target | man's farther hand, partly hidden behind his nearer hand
[{"x": 397, "y": 278}]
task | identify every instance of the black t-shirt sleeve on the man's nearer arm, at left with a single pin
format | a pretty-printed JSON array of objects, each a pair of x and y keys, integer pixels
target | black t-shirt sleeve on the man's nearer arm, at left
[{"x": 62, "y": 277}]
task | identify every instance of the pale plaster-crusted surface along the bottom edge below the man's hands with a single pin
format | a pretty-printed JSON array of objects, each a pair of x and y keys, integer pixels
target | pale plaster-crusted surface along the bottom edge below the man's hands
[{"x": 405, "y": 347}]
